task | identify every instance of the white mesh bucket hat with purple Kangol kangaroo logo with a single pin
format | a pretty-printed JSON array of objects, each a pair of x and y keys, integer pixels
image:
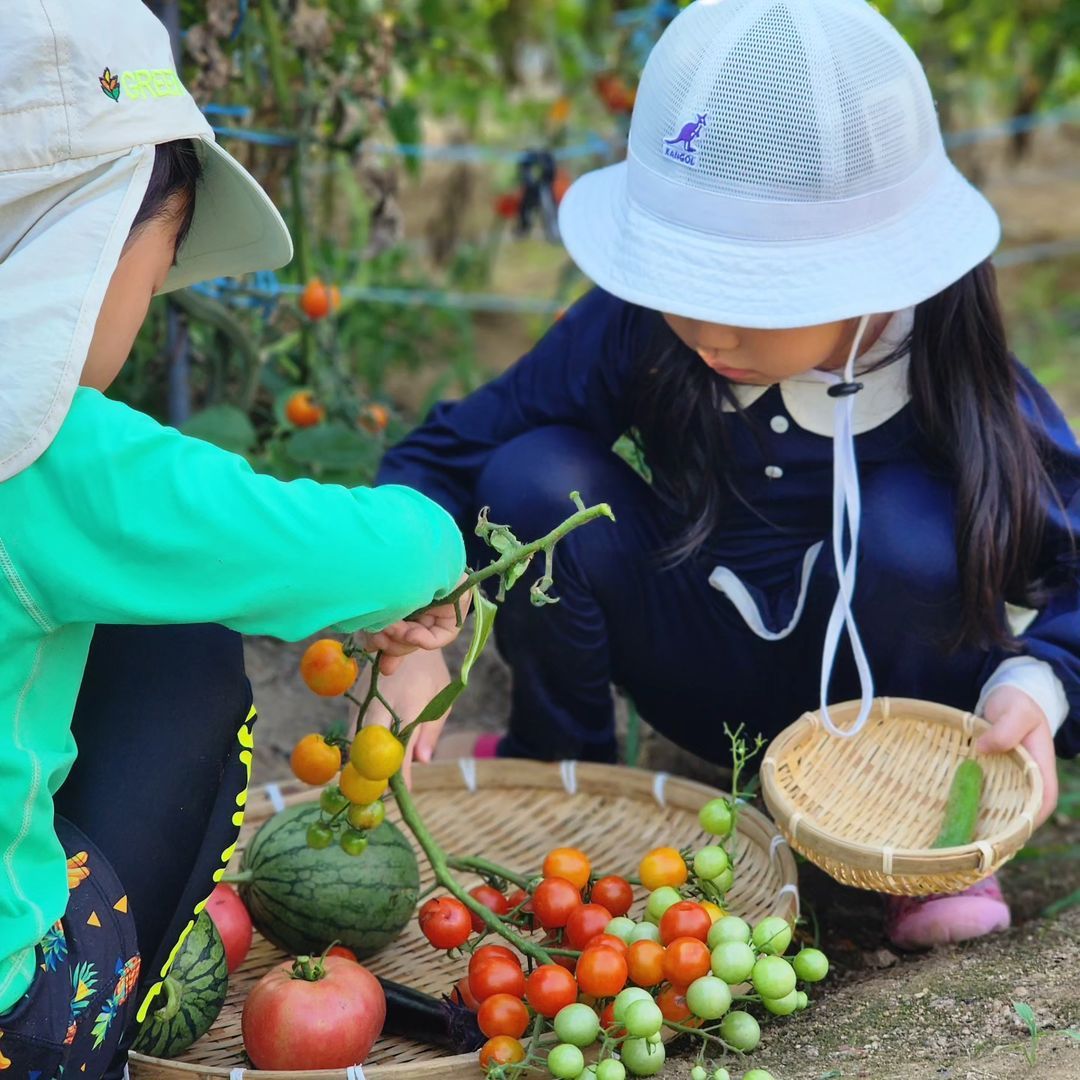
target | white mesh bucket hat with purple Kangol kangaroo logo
[{"x": 786, "y": 169}]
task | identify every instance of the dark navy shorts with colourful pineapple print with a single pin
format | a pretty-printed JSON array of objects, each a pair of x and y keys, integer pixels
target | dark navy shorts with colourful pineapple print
[{"x": 83, "y": 998}]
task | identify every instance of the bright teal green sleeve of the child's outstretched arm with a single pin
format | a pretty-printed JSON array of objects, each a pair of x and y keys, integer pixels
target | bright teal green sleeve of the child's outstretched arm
[{"x": 125, "y": 521}]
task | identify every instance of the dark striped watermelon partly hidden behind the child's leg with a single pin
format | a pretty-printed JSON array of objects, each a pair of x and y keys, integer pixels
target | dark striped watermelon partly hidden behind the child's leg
[{"x": 192, "y": 997}]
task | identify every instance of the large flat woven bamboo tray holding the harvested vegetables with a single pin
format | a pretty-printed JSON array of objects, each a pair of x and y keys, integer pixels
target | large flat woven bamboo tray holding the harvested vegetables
[{"x": 512, "y": 813}]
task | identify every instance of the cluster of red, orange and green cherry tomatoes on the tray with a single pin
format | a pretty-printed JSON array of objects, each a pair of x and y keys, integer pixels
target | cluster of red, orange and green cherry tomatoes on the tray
[{"x": 615, "y": 980}]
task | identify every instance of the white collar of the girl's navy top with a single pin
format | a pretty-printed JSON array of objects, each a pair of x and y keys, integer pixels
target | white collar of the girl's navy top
[{"x": 884, "y": 395}]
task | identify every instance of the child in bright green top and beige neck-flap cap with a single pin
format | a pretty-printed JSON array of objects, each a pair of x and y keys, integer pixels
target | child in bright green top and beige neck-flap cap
[{"x": 124, "y": 541}]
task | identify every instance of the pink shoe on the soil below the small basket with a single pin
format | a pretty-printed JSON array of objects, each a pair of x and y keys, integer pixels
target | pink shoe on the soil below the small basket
[{"x": 914, "y": 923}]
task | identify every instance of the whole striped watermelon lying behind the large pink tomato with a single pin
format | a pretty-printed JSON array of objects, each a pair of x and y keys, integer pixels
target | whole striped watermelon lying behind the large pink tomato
[{"x": 304, "y": 900}]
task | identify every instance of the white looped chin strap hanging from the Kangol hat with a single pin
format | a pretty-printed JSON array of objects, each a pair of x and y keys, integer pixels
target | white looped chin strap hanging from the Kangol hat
[{"x": 846, "y": 508}]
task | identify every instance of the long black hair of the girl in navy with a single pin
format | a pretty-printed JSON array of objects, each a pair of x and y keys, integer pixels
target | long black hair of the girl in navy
[{"x": 965, "y": 389}]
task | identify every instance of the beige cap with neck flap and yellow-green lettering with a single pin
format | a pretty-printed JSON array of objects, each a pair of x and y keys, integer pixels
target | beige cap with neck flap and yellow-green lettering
[{"x": 90, "y": 88}]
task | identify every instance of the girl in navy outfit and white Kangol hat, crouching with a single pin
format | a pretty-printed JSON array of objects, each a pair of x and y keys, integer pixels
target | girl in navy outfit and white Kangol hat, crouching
[{"x": 848, "y": 475}]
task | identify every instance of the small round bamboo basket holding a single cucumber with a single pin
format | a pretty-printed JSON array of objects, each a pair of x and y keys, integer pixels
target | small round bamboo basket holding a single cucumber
[{"x": 866, "y": 809}]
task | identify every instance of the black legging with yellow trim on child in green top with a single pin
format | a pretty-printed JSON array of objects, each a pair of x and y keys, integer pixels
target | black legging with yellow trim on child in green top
[{"x": 159, "y": 768}]
